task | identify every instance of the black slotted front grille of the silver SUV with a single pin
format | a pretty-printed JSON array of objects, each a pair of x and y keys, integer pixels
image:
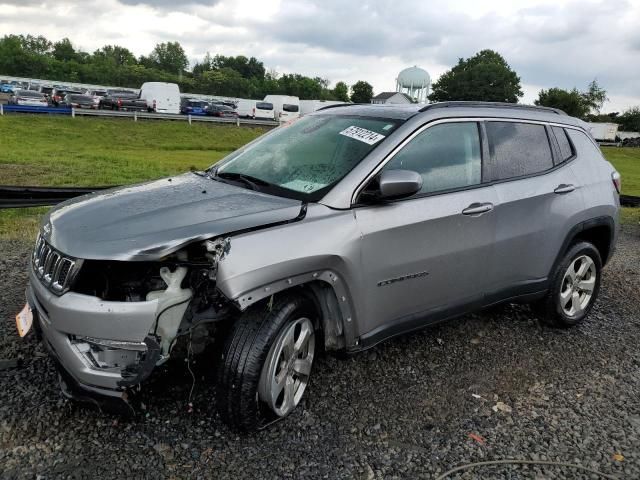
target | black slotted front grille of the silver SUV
[{"x": 55, "y": 270}]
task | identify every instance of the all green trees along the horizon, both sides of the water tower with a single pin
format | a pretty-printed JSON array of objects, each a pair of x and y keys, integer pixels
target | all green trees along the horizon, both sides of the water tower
[{"x": 486, "y": 76}]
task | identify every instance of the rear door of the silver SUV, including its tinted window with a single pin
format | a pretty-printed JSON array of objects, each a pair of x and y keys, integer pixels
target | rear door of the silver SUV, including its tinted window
[{"x": 536, "y": 197}]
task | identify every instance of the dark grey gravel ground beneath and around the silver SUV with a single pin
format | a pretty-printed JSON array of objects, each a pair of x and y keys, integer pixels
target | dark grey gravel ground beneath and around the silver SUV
[{"x": 411, "y": 408}]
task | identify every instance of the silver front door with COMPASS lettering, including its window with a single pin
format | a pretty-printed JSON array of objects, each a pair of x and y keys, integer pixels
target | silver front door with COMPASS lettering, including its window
[{"x": 428, "y": 253}]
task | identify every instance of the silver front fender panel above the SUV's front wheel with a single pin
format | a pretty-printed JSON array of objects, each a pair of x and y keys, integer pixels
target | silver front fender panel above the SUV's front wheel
[{"x": 324, "y": 247}]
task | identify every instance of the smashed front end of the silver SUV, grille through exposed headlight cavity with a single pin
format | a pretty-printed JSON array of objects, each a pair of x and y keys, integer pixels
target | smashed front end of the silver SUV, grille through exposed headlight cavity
[{"x": 115, "y": 321}]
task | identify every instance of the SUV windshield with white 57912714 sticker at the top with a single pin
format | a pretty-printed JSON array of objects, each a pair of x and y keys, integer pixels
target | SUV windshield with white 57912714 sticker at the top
[{"x": 306, "y": 158}]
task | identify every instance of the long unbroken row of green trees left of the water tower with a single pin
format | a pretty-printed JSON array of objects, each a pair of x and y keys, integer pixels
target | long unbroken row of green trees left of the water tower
[{"x": 113, "y": 65}]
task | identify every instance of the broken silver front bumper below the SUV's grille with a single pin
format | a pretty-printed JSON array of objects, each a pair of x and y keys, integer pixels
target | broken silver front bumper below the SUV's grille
[{"x": 64, "y": 319}]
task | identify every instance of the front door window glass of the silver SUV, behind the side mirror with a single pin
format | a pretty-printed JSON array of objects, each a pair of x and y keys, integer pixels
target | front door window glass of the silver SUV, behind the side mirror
[{"x": 446, "y": 155}]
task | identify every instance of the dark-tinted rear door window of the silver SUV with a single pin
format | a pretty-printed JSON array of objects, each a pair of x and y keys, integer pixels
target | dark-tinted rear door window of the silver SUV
[{"x": 517, "y": 149}]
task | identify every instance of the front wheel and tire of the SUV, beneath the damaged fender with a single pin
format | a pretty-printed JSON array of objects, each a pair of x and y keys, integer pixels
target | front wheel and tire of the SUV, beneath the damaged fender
[{"x": 253, "y": 350}]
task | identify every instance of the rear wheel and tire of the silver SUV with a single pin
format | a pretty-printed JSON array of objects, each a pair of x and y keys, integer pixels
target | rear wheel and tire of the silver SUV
[{"x": 569, "y": 301}]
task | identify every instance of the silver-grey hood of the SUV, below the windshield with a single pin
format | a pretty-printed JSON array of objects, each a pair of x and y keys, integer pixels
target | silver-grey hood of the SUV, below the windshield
[{"x": 153, "y": 219}]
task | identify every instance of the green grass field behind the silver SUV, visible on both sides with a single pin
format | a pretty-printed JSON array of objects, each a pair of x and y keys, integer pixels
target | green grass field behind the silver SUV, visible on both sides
[{"x": 46, "y": 151}]
